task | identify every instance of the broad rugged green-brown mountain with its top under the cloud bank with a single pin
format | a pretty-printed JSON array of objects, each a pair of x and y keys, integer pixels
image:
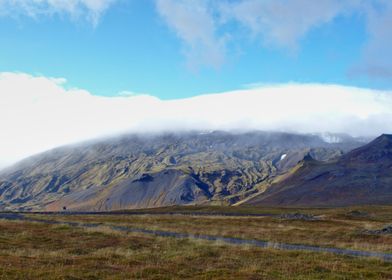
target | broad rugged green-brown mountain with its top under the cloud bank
[{"x": 138, "y": 171}]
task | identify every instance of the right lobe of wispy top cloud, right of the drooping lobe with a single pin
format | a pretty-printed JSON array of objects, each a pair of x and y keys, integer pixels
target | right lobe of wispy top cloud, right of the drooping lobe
[{"x": 283, "y": 23}]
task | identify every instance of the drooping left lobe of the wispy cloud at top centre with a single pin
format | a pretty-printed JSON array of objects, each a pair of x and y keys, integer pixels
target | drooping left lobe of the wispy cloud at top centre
[{"x": 194, "y": 23}]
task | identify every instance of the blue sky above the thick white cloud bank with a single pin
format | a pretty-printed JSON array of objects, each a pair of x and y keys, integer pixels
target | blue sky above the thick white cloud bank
[{"x": 141, "y": 47}]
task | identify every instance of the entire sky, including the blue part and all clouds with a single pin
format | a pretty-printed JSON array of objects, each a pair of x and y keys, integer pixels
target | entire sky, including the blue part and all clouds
[{"x": 72, "y": 70}]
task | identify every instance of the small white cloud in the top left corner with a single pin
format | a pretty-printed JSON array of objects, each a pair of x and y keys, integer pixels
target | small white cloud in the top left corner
[{"x": 88, "y": 9}]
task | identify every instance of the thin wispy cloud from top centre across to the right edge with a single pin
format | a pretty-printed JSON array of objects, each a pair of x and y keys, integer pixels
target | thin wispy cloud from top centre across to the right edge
[{"x": 277, "y": 24}]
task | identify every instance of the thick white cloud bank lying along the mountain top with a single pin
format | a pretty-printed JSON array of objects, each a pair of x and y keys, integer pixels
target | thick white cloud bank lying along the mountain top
[{"x": 38, "y": 113}]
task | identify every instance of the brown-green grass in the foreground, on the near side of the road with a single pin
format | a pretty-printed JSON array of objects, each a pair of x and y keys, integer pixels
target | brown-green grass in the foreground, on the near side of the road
[{"x": 40, "y": 251}]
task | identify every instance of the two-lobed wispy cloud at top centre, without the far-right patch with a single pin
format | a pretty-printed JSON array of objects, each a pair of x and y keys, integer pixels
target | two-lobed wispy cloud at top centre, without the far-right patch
[{"x": 279, "y": 23}]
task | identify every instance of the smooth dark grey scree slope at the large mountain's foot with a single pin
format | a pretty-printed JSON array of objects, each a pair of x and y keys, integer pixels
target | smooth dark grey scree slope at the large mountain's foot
[{"x": 169, "y": 187}]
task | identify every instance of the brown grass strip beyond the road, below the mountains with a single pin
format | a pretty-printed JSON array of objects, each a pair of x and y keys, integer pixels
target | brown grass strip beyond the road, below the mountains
[{"x": 341, "y": 227}]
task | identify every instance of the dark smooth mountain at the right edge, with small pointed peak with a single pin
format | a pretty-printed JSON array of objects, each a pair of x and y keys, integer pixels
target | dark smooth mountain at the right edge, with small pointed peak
[{"x": 362, "y": 176}]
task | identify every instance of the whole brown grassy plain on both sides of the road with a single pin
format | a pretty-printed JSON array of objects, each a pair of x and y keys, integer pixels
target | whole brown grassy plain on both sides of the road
[{"x": 32, "y": 250}]
